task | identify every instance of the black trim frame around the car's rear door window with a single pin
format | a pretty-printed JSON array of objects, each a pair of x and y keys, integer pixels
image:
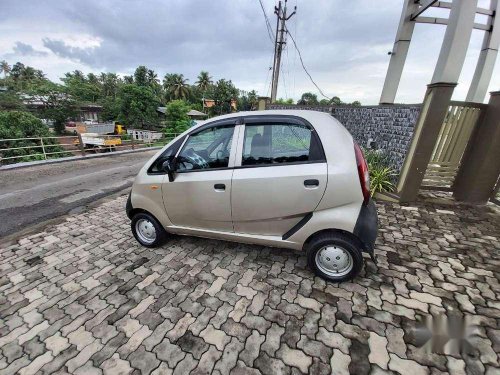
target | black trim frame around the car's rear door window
[{"x": 280, "y": 119}]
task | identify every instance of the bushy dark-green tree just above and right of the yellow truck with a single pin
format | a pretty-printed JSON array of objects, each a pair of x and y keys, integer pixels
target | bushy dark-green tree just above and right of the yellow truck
[{"x": 138, "y": 106}]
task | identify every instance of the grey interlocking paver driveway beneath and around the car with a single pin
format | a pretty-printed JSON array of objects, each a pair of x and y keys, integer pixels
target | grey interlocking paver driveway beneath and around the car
[{"x": 83, "y": 297}]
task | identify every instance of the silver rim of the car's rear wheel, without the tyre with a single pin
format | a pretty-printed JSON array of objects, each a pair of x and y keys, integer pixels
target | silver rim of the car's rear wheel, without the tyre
[{"x": 334, "y": 261}]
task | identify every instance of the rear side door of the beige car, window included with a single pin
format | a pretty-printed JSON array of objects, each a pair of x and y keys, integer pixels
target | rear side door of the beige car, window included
[{"x": 280, "y": 175}]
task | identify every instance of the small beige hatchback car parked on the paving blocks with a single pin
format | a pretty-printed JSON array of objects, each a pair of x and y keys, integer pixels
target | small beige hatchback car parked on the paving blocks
[{"x": 291, "y": 179}]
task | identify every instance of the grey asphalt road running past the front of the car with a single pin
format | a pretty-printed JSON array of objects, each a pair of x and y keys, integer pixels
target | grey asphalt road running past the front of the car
[{"x": 32, "y": 195}]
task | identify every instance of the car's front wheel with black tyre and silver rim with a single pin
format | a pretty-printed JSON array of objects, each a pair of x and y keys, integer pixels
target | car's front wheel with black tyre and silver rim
[{"x": 147, "y": 230}]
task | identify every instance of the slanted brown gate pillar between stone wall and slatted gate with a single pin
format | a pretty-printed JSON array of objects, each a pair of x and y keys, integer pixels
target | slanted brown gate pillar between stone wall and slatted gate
[{"x": 434, "y": 109}]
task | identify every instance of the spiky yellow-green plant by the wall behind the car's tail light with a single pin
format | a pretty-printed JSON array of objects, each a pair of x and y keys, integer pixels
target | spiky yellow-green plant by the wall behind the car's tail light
[{"x": 381, "y": 174}]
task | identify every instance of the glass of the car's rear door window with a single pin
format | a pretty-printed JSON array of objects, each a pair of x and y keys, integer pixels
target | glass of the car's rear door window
[{"x": 278, "y": 144}]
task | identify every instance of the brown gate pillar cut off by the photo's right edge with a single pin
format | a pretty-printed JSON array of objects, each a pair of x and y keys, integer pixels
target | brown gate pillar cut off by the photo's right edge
[{"x": 480, "y": 166}]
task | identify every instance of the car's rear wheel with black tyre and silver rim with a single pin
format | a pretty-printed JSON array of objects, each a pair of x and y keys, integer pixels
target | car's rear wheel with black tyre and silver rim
[{"x": 334, "y": 256}]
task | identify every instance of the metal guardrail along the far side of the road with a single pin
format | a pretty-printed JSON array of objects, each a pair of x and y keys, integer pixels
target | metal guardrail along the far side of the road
[{"x": 15, "y": 150}]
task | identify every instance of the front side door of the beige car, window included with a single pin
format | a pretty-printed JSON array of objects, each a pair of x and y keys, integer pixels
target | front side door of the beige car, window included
[{"x": 199, "y": 197}]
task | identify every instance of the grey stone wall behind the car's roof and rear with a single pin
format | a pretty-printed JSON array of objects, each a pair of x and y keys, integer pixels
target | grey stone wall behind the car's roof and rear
[{"x": 390, "y": 126}]
